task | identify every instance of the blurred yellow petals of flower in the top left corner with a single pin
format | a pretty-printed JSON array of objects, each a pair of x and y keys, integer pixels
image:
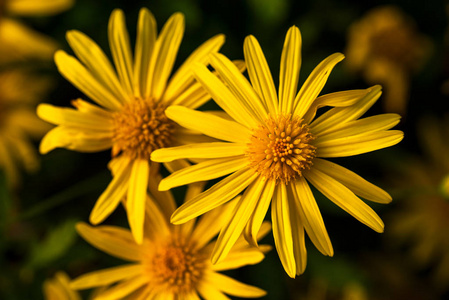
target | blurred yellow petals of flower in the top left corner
[{"x": 18, "y": 41}]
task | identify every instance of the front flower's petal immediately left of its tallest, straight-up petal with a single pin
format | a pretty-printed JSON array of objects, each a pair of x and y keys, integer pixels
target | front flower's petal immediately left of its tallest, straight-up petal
[{"x": 260, "y": 75}]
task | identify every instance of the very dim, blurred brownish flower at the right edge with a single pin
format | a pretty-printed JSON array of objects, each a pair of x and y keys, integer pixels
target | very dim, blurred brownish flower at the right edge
[{"x": 421, "y": 220}]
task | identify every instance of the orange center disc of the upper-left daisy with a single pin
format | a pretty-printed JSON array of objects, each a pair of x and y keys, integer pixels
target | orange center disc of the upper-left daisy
[{"x": 140, "y": 128}]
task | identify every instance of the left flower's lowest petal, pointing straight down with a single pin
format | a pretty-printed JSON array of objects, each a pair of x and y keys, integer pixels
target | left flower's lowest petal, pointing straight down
[{"x": 137, "y": 193}]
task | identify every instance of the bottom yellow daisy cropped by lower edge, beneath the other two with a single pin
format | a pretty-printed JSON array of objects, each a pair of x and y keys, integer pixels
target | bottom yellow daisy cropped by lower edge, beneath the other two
[{"x": 173, "y": 262}]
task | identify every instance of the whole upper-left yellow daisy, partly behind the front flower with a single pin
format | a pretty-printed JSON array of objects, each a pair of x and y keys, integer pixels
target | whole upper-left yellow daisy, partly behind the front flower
[{"x": 130, "y": 118}]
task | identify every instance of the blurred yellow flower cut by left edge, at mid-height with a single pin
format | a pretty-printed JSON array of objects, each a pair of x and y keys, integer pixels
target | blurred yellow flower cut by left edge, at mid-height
[{"x": 20, "y": 90}]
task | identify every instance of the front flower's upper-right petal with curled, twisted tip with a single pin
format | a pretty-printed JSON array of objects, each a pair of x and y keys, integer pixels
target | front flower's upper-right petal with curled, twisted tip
[{"x": 336, "y": 117}]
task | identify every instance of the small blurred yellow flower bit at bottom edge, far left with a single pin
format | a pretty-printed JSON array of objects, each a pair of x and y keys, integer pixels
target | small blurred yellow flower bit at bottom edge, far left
[{"x": 57, "y": 288}]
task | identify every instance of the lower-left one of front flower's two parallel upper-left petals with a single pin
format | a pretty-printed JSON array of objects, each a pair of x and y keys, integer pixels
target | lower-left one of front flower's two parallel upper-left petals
[{"x": 224, "y": 98}]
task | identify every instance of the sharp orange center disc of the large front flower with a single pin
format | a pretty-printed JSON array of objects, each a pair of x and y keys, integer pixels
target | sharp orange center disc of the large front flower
[{"x": 281, "y": 150}]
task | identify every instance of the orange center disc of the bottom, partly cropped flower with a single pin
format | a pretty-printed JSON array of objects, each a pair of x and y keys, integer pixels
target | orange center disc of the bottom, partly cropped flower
[{"x": 177, "y": 267}]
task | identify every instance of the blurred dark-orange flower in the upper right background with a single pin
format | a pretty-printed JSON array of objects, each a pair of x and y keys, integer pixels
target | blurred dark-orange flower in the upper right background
[{"x": 386, "y": 47}]
